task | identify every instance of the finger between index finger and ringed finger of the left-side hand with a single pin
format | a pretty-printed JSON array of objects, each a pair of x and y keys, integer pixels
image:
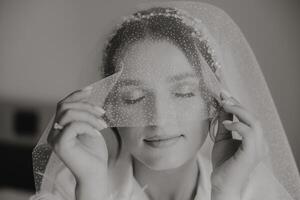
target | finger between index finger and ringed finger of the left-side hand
[{"x": 83, "y": 106}]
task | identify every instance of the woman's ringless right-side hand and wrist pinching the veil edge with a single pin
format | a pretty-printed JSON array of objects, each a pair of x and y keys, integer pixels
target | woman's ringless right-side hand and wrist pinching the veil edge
[{"x": 234, "y": 160}]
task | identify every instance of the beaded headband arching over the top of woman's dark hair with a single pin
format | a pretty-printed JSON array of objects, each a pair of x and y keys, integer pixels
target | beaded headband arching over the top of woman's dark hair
[{"x": 202, "y": 44}]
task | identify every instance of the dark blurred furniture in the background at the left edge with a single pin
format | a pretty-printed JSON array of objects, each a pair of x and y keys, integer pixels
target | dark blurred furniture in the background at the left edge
[{"x": 21, "y": 125}]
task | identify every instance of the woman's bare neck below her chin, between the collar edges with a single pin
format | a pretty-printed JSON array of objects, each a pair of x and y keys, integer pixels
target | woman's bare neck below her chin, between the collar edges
[{"x": 171, "y": 184}]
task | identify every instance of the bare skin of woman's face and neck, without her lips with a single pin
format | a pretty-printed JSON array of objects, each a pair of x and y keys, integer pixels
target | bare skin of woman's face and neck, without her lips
[{"x": 171, "y": 92}]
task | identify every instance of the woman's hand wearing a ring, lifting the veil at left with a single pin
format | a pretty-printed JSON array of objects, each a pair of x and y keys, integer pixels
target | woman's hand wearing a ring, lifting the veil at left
[{"x": 79, "y": 144}]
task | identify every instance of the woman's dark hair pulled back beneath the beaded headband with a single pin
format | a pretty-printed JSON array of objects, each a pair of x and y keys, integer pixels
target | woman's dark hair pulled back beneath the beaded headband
[{"x": 155, "y": 26}]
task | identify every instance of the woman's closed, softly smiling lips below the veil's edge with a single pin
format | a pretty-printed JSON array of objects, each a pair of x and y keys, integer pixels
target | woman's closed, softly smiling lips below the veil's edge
[{"x": 160, "y": 142}]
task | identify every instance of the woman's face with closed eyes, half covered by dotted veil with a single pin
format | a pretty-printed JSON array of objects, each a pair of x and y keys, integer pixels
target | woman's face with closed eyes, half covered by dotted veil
[{"x": 158, "y": 76}]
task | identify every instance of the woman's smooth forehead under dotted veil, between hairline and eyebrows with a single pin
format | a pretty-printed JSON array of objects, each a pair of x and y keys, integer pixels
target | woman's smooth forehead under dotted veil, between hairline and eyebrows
[{"x": 150, "y": 60}]
